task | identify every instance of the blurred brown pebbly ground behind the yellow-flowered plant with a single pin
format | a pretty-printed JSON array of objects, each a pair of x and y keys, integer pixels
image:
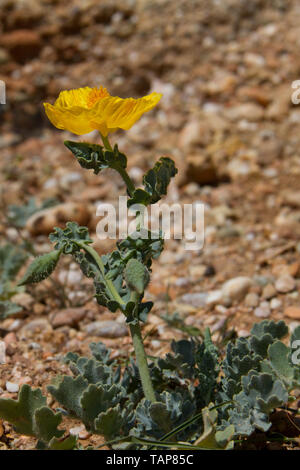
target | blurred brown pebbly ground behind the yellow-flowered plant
[{"x": 225, "y": 69}]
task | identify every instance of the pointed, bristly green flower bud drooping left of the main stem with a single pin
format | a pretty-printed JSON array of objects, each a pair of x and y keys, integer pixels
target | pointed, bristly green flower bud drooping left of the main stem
[{"x": 41, "y": 268}]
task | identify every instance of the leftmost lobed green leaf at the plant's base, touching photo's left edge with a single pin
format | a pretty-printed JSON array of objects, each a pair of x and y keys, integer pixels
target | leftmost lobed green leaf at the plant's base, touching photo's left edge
[{"x": 20, "y": 412}]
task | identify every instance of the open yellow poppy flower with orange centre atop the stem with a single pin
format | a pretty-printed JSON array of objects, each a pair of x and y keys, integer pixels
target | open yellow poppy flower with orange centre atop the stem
[{"x": 85, "y": 109}]
